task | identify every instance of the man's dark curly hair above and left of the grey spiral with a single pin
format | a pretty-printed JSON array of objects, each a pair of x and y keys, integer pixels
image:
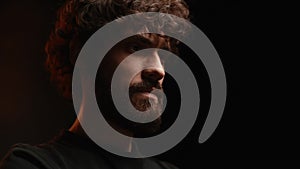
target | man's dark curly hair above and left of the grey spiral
[{"x": 77, "y": 20}]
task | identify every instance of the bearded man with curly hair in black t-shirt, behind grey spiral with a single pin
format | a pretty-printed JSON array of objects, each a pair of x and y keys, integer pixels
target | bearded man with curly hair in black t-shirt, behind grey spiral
[{"x": 77, "y": 21}]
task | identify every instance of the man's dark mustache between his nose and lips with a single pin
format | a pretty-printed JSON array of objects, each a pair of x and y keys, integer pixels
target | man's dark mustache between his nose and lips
[{"x": 144, "y": 86}]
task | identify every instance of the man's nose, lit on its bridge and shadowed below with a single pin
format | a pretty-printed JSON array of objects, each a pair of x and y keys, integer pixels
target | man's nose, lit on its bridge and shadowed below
[{"x": 156, "y": 72}]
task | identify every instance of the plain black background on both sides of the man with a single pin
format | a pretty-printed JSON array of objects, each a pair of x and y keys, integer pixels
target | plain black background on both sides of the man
[{"x": 32, "y": 111}]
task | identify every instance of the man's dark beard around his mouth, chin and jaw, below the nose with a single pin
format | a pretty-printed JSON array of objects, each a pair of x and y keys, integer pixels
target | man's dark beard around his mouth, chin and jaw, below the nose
[{"x": 143, "y": 104}]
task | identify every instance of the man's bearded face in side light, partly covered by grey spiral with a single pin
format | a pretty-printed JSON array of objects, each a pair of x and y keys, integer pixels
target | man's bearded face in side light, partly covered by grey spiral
[{"x": 140, "y": 86}]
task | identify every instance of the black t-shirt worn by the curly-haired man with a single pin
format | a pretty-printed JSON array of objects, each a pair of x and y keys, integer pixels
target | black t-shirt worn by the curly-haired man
[{"x": 70, "y": 151}]
